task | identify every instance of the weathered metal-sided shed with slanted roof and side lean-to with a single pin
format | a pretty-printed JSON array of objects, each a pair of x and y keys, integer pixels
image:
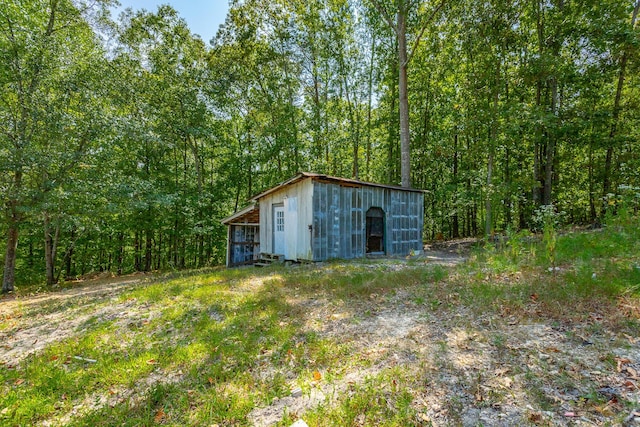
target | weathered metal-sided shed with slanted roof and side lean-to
[{"x": 315, "y": 217}]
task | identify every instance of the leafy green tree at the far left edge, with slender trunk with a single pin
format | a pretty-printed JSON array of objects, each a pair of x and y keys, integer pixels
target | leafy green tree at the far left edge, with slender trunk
[{"x": 46, "y": 45}]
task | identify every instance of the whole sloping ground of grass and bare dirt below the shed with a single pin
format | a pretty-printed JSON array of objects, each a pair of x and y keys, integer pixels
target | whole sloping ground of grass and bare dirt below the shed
[{"x": 530, "y": 332}]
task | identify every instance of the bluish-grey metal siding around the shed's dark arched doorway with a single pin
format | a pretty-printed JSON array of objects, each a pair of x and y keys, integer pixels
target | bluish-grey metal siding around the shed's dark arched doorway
[{"x": 339, "y": 220}]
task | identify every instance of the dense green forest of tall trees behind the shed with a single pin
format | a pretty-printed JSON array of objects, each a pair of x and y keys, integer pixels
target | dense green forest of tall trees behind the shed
[{"x": 124, "y": 140}]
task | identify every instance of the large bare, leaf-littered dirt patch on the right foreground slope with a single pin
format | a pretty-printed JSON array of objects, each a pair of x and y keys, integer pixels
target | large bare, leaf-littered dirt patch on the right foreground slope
[{"x": 475, "y": 371}]
